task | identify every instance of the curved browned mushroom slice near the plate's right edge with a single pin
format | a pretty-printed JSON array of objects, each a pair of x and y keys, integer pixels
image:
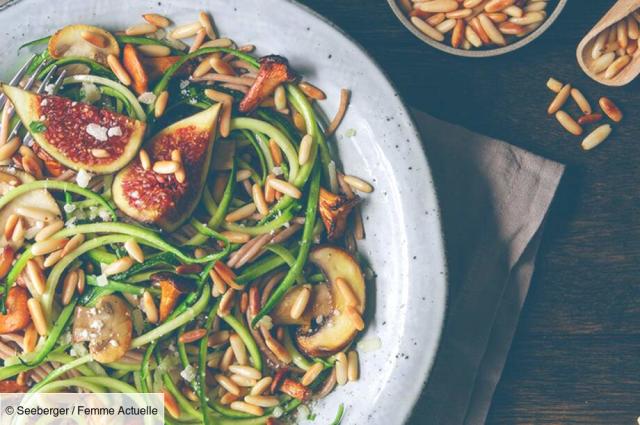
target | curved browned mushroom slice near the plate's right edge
[{"x": 336, "y": 330}]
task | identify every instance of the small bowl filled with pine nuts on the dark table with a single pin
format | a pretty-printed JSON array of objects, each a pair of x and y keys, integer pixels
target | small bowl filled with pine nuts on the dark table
[{"x": 477, "y": 28}]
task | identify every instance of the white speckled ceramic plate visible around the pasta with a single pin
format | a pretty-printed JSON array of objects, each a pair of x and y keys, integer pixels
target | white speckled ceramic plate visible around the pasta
[{"x": 406, "y": 302}]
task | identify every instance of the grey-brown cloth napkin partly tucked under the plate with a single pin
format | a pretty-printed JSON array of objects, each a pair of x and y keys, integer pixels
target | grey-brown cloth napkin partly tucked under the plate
[{"x": 494, "y": 198}]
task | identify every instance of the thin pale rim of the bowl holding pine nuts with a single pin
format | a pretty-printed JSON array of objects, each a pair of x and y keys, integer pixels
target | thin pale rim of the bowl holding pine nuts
[{"x": 397, "y": 10}]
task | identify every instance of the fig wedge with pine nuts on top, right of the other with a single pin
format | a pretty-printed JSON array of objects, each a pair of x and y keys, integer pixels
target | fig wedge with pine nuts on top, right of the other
[{"x": 160, "y": 199}]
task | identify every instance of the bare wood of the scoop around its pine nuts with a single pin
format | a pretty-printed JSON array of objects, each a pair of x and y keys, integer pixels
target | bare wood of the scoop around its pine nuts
[{"x": 619, "y": 11}]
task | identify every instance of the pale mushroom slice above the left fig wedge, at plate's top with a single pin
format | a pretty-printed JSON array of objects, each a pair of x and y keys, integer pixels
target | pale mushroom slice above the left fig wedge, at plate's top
[{"x": 85, "y": 41}]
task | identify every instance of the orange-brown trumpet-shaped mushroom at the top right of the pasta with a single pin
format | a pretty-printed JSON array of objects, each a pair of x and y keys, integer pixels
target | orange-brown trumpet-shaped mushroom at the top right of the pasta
[{"x": 274, "y": 70}]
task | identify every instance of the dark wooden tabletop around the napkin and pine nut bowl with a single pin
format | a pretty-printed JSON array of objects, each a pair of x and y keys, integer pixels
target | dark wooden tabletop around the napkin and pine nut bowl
[{"x": 576, "y": 355}]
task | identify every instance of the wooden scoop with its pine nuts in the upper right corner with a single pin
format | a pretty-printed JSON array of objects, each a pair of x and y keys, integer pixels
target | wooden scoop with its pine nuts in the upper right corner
[{"x": 610, "y": 53}]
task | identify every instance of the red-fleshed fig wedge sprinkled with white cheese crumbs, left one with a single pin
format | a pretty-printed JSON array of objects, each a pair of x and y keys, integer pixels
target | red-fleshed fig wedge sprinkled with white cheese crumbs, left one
[{"x": 78, "y": 135}]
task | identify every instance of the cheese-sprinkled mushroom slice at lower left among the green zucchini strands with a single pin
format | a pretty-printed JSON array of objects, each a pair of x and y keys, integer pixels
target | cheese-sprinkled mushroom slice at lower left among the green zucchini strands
[{"x": 107, "y": 327}]
